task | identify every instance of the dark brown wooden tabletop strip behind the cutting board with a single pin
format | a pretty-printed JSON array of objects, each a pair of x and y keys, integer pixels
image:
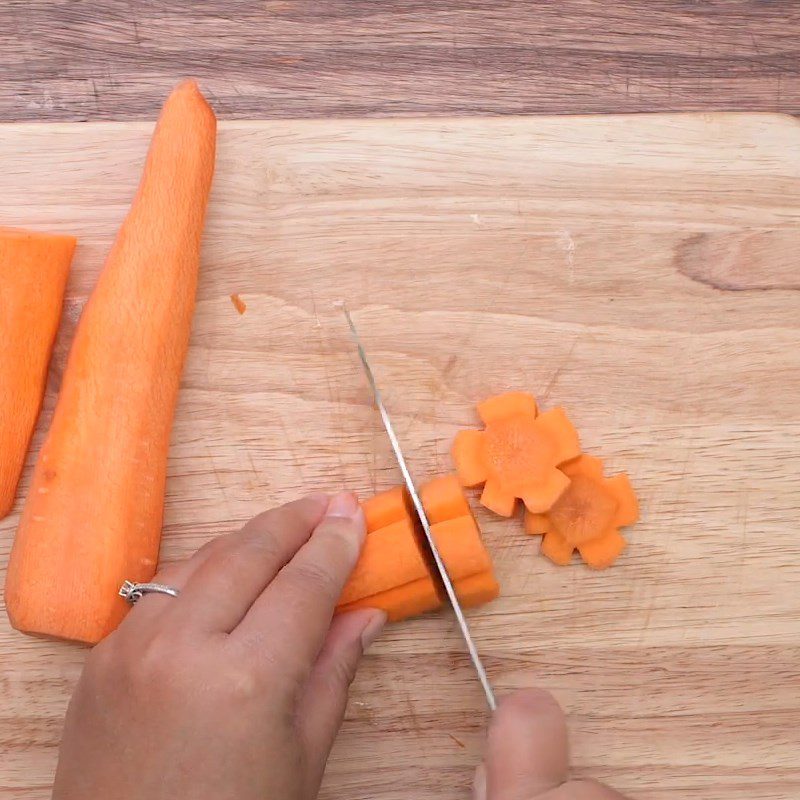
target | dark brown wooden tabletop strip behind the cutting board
[{"x": 117, "y": 59}]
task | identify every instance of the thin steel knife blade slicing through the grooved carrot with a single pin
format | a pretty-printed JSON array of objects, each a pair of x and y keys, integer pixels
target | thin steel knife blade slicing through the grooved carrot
[{"x": 423, "y": 519}]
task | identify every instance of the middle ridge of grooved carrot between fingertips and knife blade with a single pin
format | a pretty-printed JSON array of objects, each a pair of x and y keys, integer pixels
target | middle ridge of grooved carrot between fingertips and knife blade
[{"x": 391, "y": 557}]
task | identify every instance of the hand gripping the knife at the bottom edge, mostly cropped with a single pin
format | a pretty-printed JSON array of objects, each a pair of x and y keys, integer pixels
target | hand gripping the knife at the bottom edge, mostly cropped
[{"x": 526, "y": 754}]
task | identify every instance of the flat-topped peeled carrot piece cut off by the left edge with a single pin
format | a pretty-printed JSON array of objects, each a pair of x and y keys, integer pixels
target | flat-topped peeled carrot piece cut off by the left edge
[{"x": 33, "y": 275}]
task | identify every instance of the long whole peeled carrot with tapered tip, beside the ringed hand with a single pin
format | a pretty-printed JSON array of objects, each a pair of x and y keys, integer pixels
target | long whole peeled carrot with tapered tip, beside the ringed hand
[{"x": 94, "y": 513}]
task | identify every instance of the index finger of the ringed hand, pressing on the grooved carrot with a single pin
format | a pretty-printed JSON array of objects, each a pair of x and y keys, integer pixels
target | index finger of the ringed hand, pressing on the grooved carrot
[{"x": 296, "y": 609}]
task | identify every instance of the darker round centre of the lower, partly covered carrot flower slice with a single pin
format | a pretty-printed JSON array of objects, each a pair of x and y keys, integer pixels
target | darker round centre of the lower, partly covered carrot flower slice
[{"x": 584, "y": 511}]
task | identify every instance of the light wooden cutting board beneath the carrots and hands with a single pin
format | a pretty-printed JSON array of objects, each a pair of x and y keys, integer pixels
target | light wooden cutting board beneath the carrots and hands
[{"x": 641, "y": 271}]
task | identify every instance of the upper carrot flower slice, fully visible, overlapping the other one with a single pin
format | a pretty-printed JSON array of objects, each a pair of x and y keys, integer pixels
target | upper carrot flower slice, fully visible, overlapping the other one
[{"x": 517, "y": 455}]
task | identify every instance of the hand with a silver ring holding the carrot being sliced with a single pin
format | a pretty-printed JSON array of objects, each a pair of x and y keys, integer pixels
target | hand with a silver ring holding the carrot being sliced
[{"x": 235, "y": 689}]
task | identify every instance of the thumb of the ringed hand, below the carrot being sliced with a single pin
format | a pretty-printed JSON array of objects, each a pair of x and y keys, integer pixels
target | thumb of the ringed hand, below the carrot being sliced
[{"x": 322, "y": 705}]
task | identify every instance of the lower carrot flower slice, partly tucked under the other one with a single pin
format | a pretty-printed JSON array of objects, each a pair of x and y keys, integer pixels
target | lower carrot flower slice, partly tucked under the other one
[{"x": 587, "y": 516}]
